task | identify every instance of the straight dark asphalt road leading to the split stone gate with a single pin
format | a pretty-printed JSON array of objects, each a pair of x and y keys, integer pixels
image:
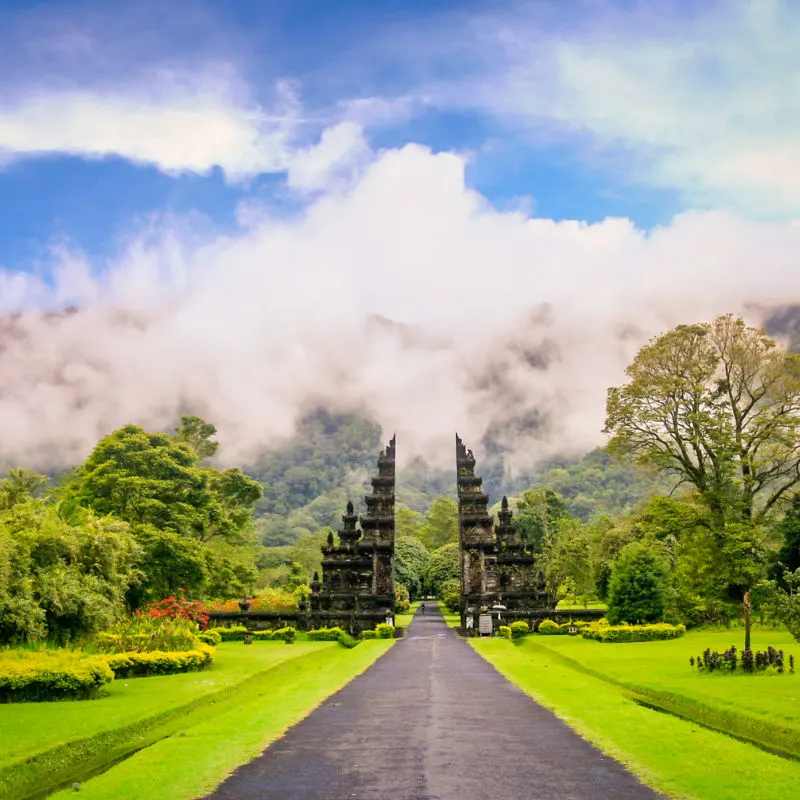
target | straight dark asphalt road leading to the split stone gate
[{"x": 431, "y": 720}]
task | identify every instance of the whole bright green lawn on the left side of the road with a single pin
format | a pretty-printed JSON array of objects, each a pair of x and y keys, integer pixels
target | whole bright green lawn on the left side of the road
[{"x": 258, "y": 690}]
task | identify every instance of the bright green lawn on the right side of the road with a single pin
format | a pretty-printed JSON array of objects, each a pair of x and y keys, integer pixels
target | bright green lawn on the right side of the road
[{"x": 673, "y": 755}]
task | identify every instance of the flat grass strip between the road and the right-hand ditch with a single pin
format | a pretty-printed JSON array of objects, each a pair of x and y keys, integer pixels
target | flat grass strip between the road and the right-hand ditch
[{"x": 676, "y": 756}]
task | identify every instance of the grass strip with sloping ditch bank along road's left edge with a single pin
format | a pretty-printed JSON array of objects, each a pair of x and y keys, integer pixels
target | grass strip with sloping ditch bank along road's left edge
[{"x": 108, "y": 756}]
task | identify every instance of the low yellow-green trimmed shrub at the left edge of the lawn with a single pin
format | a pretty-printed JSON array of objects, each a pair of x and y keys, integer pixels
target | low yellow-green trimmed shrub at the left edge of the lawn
[{"x": 31, "y": 676}]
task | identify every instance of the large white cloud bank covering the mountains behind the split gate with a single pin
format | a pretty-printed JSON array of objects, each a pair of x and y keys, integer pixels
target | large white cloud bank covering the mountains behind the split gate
[{"x": 406, "y": 295}]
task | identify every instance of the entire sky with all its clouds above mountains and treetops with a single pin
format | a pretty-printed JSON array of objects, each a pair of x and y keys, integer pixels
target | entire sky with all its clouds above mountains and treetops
[{"x": 445, "y": 214}]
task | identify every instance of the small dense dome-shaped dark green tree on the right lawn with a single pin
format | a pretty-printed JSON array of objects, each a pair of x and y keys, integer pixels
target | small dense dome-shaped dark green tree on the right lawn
[{"x": 639, "y": 581}]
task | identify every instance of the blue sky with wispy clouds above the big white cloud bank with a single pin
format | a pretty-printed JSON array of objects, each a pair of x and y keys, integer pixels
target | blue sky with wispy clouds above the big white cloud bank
[{"x": 540, "y": 97}]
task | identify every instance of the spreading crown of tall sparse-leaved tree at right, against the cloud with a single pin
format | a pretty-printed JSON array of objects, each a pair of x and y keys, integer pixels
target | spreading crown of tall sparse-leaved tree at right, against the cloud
[{"x": 718, "y": 405}]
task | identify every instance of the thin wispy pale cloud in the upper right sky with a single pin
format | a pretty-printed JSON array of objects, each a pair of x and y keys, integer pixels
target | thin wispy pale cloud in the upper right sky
[{"x": 703, "y": 99}]
